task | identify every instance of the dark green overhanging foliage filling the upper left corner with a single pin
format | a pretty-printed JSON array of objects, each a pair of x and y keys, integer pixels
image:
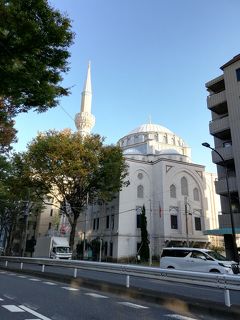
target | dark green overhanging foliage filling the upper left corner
[{"x": 34, "y": 42}]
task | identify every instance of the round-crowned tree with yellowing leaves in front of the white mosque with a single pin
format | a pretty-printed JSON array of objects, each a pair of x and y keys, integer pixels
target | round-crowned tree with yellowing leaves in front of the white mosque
[{"x": 75, "y": 170}]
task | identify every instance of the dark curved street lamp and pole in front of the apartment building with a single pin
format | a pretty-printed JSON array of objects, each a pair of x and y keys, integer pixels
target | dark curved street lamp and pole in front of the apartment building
[{"x": 235, "y": 252}]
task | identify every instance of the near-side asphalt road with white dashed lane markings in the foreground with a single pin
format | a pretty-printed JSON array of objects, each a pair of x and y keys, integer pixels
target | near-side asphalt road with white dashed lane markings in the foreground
[{"x": 23, "y": 297}]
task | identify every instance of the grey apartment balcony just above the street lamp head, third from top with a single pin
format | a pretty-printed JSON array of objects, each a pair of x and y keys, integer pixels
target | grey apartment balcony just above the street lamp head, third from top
[{"x": 220, "y": 128}]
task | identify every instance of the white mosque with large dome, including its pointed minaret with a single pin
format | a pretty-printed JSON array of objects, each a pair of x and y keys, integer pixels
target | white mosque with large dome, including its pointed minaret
[{"x": 179, "y": 196}]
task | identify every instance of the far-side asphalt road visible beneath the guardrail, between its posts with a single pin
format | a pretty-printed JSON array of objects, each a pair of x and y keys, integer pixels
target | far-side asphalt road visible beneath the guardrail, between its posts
[{"x": 214, "y": 295}]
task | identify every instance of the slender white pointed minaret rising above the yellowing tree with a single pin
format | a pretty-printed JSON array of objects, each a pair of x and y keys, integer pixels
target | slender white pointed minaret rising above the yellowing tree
[{"x": 85, "y": 120}]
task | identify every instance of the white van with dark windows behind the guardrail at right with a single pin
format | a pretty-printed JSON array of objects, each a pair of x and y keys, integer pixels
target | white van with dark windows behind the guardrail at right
[{"x": 194, "y": 259}]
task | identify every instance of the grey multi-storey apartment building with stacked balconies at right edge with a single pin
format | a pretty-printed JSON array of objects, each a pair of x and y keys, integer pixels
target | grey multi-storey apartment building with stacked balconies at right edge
[{"x": 224, "y": 103}]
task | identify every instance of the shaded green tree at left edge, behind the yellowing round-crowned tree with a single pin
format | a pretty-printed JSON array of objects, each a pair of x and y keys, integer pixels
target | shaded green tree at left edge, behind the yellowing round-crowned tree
[{"x": 17, "y": 200}]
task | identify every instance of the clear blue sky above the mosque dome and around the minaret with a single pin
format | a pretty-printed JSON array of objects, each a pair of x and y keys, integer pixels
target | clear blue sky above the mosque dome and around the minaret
[{"x": 148, "y": 57}]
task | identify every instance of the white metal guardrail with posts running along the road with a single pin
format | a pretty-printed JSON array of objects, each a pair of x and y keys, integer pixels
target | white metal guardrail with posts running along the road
[{"x": 216, "y": 280}]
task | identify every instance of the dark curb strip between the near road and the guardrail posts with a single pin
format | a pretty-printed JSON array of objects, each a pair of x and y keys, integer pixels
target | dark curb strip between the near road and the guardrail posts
[{"x": 186, "y": 305}]
